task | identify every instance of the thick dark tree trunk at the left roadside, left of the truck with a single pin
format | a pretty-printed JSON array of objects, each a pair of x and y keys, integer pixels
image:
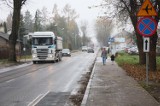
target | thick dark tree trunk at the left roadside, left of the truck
[{"x": 14, "y": 33}]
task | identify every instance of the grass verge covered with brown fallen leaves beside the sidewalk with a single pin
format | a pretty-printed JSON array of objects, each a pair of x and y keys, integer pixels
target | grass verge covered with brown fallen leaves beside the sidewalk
[{"x": 130, "y": 64}]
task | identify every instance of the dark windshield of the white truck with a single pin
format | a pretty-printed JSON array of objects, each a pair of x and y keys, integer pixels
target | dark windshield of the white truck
[{"x": 42, "y": 41}]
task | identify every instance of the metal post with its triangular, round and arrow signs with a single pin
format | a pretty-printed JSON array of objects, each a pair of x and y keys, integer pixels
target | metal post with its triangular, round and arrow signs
[{"x": 146, "y": 27}]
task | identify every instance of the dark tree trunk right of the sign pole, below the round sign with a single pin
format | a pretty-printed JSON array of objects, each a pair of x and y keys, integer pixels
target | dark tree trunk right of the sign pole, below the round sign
[{"x": 152, "y": 53}]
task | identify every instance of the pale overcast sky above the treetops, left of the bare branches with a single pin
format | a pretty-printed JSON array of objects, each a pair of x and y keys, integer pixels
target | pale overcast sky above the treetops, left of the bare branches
[{"x": 80, "y": 6}]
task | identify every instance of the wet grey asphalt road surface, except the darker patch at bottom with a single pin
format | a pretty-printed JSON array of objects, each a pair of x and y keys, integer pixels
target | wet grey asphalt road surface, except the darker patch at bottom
[{"x": 27, "y": 85}]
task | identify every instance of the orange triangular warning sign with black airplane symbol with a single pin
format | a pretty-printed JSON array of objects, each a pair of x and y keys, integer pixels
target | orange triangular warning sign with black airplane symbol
[{"x": 147, "y": 9}]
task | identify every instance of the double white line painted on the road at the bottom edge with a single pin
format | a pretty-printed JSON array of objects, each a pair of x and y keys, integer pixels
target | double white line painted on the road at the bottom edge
[{"x": 37, "y": 99}]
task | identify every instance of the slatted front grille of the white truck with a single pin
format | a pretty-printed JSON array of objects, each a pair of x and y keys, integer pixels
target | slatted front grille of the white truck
[{"x": 42, "y": 53}]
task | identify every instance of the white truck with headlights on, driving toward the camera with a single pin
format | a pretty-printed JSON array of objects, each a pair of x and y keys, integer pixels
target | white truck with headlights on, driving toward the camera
[{"x": 46, "y": 47}]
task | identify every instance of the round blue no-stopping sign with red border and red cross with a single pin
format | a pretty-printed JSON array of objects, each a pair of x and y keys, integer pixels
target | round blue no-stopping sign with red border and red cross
[{"x": 147, "y": 26}]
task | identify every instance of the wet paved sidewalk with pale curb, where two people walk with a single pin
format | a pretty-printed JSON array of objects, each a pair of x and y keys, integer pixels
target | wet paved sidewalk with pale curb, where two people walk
[{"x": 110, "y": 86}]
